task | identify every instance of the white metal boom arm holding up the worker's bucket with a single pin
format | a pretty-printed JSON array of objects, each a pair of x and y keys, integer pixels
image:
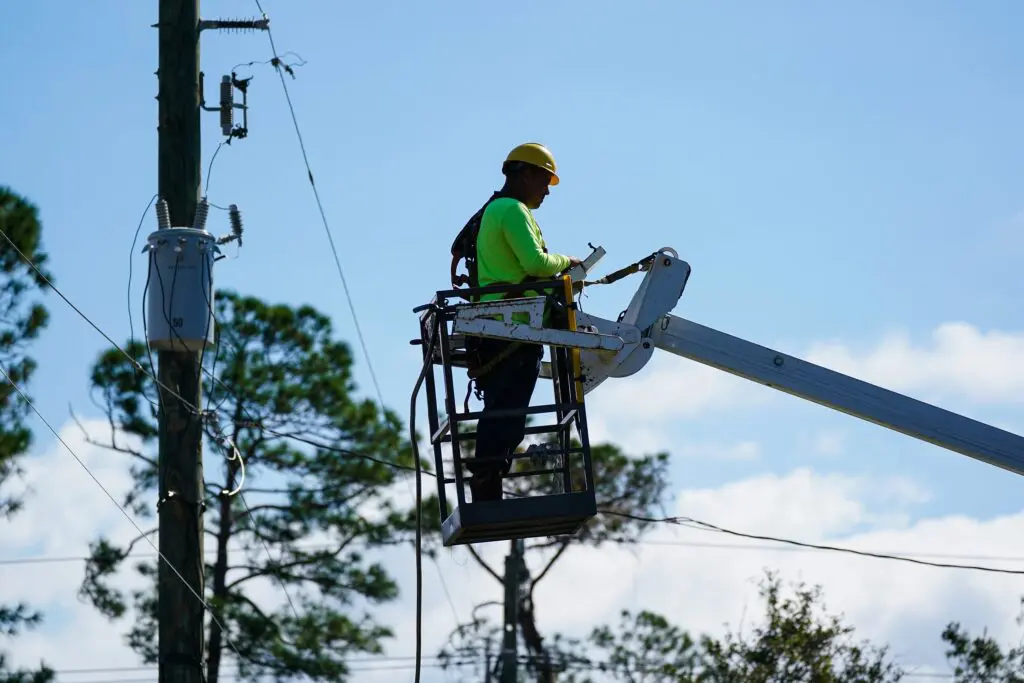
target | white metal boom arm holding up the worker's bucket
[{"x": 647, "y": 325}]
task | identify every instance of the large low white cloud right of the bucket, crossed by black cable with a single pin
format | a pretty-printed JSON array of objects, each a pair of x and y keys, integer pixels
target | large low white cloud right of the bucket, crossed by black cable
[{"x": 704, "y": 587}]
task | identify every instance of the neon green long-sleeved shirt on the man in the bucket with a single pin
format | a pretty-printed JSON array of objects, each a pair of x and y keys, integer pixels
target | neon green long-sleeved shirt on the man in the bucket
[{"x": 510, "y": 247}]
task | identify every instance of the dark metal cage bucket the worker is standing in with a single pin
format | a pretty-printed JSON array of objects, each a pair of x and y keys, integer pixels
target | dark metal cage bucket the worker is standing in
[{"x": 564, "y": 465}]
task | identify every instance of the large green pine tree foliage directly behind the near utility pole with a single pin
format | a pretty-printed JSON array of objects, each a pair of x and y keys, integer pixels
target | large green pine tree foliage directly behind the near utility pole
[{"x": 284, "y": 392}]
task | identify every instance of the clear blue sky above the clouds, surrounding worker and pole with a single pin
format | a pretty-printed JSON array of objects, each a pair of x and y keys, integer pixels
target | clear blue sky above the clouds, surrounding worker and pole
[{"x": 832, "y": 172}]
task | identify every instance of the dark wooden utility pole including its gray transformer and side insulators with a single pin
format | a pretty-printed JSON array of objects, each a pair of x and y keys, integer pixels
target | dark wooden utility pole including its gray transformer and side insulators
[{"x": 182, "y": 326}]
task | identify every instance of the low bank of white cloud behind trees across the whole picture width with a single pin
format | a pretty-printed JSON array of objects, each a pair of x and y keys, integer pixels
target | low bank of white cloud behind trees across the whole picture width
[{"x": 701, "y": 587}]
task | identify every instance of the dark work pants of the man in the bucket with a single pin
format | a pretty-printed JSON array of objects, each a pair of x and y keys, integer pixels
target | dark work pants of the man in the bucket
[{"x": 508, "y": 386}]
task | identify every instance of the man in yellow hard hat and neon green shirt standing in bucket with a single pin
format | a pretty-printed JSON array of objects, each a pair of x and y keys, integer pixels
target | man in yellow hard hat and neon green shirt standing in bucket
[{"x": 509, "y": 249}]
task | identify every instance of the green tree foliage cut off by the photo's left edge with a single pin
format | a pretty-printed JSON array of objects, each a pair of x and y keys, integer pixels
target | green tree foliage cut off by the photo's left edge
[{"x": 22, "y": 321}]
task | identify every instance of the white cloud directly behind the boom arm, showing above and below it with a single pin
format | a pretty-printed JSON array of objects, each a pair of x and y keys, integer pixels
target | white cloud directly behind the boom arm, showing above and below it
[{"x": 959, "y": 364}]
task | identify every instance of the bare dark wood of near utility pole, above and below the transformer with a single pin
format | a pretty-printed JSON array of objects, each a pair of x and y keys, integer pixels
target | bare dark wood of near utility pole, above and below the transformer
[{"x": 182, "y": 630}]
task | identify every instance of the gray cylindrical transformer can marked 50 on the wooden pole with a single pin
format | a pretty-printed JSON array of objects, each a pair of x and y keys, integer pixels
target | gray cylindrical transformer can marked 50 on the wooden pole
[{"x": 181, "y": 297}]
